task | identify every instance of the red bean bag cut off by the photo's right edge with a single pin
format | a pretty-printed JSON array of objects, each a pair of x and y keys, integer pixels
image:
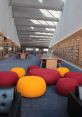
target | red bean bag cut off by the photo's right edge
[{"x": 75, "y": 75}]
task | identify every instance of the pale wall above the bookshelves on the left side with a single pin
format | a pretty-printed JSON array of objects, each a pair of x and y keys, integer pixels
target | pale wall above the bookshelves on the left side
[{"x": 7, "y": 25}]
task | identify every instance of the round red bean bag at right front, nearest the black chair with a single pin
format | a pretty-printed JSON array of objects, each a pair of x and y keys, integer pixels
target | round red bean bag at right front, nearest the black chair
[{"x": 66, "y": 85}]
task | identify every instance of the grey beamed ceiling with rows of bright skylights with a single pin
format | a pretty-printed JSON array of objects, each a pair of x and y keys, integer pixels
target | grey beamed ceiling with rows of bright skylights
[{"x": 36, "y": 20}]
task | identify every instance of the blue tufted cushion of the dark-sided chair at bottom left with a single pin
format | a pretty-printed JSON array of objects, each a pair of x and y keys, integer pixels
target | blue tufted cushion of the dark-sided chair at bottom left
[{"x": 6, "y": 98}]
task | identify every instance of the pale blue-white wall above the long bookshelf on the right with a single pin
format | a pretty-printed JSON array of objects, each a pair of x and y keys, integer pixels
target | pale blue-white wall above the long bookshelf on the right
[{"x": 70, "y": 21}]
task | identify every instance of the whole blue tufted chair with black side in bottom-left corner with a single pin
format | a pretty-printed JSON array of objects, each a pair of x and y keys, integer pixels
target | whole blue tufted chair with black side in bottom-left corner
[{"x": 10, "y": 102}]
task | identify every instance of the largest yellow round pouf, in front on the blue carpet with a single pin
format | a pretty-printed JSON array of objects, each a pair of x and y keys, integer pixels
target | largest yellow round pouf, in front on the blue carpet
[{"x": 31, "y": 86}]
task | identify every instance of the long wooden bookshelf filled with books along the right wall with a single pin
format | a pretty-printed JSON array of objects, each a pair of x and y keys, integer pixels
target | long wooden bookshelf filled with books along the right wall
[{"x": 70, "y": 48}]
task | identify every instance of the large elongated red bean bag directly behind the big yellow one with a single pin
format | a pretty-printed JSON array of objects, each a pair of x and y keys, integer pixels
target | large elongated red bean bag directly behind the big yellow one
[{"x": 50, "y": 76}]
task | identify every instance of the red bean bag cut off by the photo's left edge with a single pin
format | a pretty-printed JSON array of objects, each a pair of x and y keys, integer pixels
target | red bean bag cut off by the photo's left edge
[{"x": 8, "y": 78}]
